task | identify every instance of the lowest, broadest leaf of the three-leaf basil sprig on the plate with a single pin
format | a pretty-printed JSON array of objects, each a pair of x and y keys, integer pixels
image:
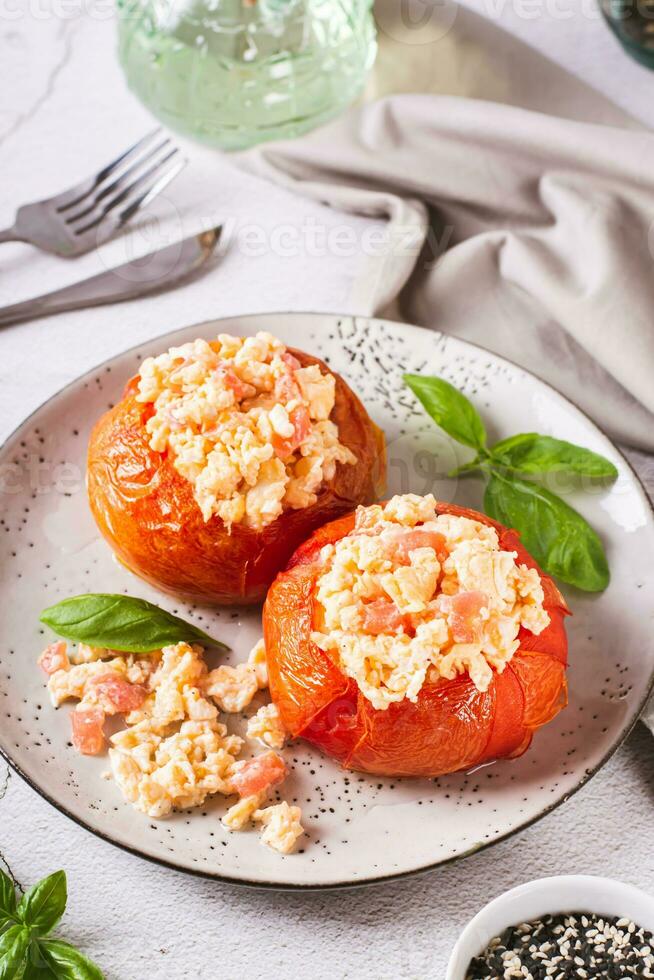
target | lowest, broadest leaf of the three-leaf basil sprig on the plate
[{"x": 559, "y": 538}]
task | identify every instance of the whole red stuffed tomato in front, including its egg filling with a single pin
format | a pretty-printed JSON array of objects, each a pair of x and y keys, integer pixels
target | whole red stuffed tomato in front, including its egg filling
[{"x": 415, "y": 638}]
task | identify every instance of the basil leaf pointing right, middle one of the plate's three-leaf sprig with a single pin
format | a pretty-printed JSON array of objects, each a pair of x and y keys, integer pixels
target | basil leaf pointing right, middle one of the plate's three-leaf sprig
[{"x": 532, "y": 453}]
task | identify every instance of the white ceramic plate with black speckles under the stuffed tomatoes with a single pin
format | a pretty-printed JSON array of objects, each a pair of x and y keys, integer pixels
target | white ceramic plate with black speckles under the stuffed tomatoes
[{"x": 360, "y": 828}]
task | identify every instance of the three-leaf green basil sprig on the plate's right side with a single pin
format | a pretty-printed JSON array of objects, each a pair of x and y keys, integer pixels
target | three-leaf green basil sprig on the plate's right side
[{"x": 558, "y": 537}]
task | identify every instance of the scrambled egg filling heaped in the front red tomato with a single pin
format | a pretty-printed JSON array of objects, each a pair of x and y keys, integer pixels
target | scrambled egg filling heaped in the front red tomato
[{"x": 411, "y": 596}]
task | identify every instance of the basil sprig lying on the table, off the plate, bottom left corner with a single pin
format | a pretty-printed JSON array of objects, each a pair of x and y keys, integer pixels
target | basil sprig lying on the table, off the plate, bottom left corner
[{"x": 26, "y": 949}]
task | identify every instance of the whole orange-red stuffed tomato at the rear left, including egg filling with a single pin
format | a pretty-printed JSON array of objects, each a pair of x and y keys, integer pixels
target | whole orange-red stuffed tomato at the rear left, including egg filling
[{"x": 221, "y": 458}]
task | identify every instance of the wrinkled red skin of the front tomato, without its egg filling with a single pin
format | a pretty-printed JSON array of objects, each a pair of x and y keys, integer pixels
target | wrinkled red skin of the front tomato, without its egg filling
[{"x": 452, "y": 725}]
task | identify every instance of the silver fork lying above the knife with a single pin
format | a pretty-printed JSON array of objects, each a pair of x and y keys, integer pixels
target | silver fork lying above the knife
[{"x": 89, "y": 213}]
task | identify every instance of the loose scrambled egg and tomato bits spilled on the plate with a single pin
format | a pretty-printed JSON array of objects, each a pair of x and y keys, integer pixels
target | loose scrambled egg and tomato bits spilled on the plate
[{"x": 174, "y": 752}]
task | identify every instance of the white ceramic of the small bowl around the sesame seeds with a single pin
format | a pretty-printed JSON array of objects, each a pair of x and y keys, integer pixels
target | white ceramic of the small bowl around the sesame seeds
[{"x": 564, "y": 893}]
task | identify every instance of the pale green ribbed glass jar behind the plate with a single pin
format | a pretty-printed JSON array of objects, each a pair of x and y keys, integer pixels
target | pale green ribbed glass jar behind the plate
[{"x": 234, "y": 72}]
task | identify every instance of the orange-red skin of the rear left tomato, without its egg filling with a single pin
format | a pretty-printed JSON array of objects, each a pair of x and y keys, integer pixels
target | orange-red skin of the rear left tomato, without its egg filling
[{"x": 146, "y": 510}]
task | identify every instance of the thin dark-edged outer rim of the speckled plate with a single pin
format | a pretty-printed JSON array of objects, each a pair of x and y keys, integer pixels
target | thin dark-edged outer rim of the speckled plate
[{"x": 396, "y": 875}]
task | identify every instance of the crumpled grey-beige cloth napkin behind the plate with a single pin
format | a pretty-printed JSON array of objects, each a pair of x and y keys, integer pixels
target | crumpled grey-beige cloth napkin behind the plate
[{"x": 525, "y": 233}]
